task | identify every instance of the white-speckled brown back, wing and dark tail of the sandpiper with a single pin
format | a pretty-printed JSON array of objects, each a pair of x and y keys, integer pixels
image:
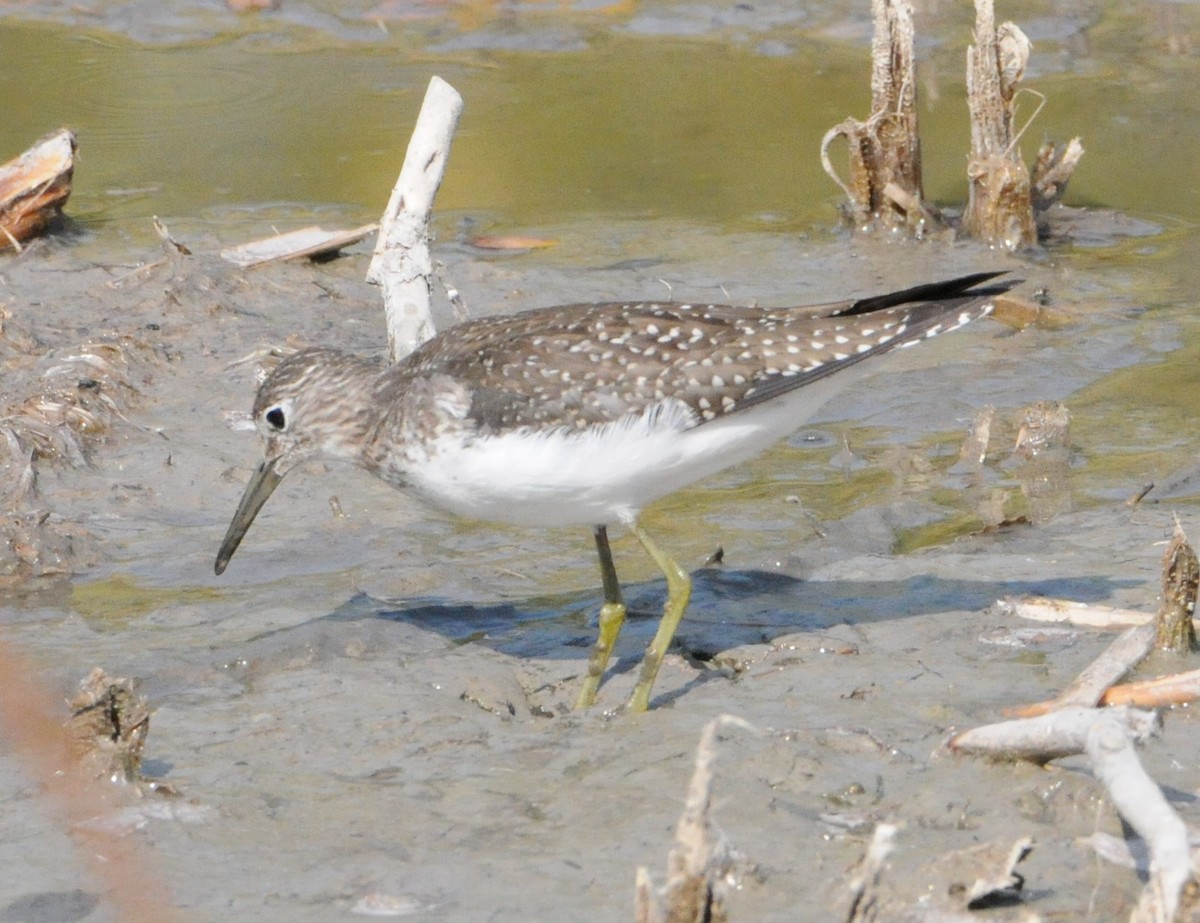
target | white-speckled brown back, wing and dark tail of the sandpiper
[{"x": 585, "y": 365}]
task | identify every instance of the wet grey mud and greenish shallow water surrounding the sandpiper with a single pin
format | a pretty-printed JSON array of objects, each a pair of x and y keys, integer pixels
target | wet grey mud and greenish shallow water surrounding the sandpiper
[{"x": 357, "y": 706}]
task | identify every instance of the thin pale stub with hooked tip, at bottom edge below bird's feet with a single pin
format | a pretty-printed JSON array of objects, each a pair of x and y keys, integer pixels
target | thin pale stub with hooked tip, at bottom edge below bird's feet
[{"x": 700, "y": 862}]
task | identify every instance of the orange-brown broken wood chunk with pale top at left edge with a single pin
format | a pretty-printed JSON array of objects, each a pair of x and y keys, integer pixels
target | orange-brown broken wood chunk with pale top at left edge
[{"x": 35, "y": 187}]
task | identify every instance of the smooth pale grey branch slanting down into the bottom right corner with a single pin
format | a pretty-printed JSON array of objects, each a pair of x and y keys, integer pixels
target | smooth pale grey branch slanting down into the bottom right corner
[{"x": 1142, "y": 804}]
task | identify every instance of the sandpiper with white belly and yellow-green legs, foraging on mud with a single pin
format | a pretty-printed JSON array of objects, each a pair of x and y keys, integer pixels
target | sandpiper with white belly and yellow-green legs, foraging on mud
[{"x": 584, "y": 415}]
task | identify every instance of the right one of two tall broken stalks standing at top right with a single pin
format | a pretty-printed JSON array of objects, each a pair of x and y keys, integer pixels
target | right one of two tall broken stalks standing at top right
[{"x": 1000, "y": 205}]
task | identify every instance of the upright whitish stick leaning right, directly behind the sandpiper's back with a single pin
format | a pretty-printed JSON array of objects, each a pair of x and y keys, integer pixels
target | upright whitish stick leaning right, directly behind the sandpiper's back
[{"x": 401, "y": 265}]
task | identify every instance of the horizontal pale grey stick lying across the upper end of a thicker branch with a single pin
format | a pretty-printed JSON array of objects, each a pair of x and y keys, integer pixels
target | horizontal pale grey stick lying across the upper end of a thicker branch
[{"x": 1052, "y": 736}]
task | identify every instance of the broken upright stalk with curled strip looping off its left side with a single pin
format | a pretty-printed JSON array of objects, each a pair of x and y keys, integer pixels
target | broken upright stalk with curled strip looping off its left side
[{"x": 884, "y": 189}]
